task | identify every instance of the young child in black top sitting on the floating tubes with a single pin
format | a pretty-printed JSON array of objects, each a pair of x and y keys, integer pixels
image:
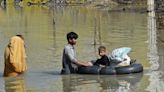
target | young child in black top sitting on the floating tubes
[{"x": 104, "y": 60}]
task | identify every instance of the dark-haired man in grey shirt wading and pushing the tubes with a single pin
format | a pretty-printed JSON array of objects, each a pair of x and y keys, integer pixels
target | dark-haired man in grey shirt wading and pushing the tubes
[{"x": 69, "y": 60}]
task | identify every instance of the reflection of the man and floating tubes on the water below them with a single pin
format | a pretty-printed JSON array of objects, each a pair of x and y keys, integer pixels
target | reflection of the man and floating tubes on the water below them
[{"x": 92, "y": 83}]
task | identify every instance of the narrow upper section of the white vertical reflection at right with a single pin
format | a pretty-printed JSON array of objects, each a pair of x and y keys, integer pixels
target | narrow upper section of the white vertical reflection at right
[{"x": 152, "y": 30}]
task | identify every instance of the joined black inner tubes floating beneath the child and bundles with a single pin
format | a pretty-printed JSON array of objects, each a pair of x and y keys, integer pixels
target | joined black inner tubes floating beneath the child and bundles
[{"x": 109, "y": 70}]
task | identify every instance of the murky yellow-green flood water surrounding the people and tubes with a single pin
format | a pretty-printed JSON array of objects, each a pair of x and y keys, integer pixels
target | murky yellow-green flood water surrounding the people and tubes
[{"x": 44, "y": 30}]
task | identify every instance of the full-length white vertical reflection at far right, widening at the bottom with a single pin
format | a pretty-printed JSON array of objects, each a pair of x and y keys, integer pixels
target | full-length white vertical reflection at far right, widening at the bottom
[{"x": 156, "y": 77}]
